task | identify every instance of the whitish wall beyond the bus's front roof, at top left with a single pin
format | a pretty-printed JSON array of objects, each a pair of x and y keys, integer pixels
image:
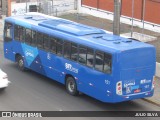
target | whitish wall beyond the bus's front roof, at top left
[{"x": 46, "y": 7}]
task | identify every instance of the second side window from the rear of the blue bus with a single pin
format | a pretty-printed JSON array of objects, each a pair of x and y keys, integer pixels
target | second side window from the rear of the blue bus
[{"x": 99, "y": 61}]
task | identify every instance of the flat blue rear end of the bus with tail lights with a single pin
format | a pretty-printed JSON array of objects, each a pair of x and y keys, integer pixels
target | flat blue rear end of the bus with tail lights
[{"x": 137, "y": 70}]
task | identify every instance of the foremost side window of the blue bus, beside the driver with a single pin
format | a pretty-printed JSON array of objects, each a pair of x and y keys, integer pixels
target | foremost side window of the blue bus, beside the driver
[{"x": 8, "y": 32}]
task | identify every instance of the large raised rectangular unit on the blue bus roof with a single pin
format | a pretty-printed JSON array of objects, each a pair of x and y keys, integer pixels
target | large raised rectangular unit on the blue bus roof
[{"x": 70, "y": 27}]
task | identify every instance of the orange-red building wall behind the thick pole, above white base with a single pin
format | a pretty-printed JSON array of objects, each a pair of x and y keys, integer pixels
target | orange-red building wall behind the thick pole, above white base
[{"x": 147, "y": 10}]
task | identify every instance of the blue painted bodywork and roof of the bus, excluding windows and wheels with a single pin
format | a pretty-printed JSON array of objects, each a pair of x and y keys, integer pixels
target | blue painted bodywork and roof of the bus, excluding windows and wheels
[{"x": 132, "y": 61}]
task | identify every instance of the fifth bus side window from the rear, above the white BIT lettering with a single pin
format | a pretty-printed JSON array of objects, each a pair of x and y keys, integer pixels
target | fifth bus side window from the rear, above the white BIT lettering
[{"x": 74, "y": 51}]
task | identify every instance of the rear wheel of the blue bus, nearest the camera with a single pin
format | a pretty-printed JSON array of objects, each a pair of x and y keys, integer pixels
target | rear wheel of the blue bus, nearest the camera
[{"x": 71, "y": 86}]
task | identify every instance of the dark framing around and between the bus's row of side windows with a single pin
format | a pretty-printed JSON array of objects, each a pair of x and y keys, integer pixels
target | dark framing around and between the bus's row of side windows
[{"x": 62, "y": 54}]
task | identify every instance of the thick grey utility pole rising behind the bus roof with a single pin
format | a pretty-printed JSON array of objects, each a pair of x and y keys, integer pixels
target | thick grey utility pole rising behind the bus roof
[{"x": 116, "y": 21}]
